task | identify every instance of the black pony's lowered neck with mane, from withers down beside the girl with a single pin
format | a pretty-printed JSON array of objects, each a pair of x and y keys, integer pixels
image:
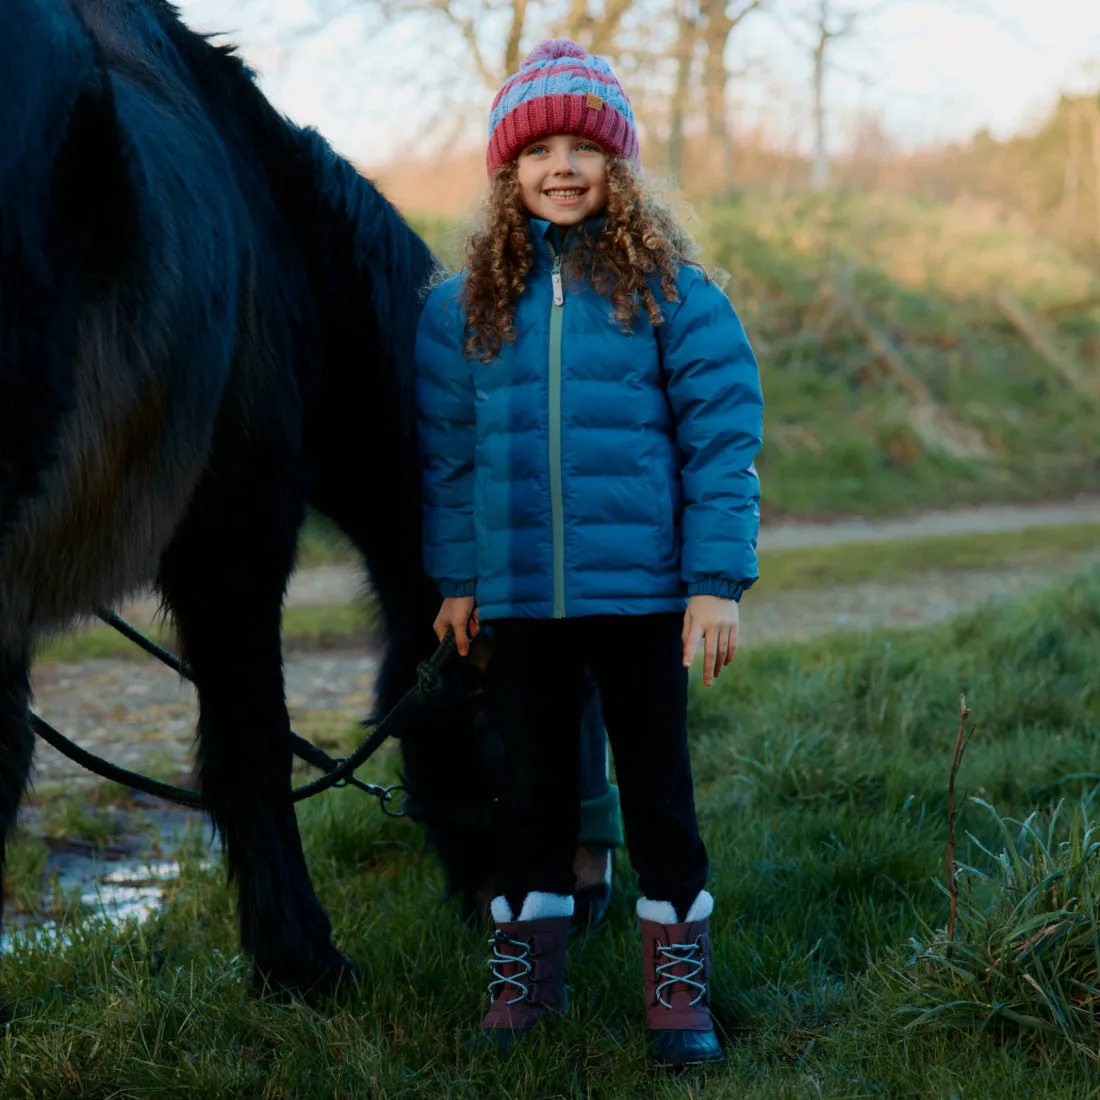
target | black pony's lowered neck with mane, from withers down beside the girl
[{"x": 365, "y": 271}]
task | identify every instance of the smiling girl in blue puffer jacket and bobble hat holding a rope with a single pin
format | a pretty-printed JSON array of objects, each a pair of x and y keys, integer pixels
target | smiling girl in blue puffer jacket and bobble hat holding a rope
[{"x": 590, "y": 413}]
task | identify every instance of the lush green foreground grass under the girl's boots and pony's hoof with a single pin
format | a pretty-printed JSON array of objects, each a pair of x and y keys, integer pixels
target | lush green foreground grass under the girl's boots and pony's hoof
[{"x": 821, "y": 776}]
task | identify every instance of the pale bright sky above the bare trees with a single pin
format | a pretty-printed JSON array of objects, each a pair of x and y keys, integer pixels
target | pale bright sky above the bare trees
[{"x": 932, "y": 71}]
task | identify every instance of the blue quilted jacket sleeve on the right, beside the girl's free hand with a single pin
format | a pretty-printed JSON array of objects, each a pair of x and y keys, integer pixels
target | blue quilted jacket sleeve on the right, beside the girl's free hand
[{"x": 714, "y": 390}]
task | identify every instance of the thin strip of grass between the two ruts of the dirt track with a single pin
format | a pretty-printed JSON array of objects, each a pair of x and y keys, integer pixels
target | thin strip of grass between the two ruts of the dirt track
[{"x": 334, "y": 626}]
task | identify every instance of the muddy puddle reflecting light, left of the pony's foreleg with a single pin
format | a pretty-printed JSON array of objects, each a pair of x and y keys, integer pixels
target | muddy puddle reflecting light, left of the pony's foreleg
[{"x": 122, "y": 882}]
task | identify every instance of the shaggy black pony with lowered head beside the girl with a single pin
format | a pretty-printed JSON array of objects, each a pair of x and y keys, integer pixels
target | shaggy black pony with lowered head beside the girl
[{"x": 206, "y": 325}]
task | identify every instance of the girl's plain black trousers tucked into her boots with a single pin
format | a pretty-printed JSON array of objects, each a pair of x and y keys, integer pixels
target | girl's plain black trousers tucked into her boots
[{"x": 540, "y": 690}]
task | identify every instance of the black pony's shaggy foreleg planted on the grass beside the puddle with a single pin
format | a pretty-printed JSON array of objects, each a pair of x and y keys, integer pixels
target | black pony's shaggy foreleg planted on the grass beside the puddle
[{"x": 224, "y": 579}]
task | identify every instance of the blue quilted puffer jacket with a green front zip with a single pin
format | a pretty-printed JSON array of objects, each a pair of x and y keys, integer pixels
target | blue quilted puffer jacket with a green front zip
[{"x": 587, "y": 471}]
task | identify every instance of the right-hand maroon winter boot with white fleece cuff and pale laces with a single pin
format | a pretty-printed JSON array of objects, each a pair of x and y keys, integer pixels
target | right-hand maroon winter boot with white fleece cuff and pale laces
[{"x": 677, "y": 971}]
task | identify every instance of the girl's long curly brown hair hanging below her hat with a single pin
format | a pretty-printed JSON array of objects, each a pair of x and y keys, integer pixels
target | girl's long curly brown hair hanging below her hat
[{"x": 641, "y": 238}]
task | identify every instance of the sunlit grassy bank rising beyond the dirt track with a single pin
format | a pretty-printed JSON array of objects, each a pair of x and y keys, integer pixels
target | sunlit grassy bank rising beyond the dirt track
[{"x": 839, "y": 434}]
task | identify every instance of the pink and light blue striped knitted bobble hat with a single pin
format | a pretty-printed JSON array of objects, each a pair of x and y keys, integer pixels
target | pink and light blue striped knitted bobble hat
[{"x": 560, "y": 90}]
